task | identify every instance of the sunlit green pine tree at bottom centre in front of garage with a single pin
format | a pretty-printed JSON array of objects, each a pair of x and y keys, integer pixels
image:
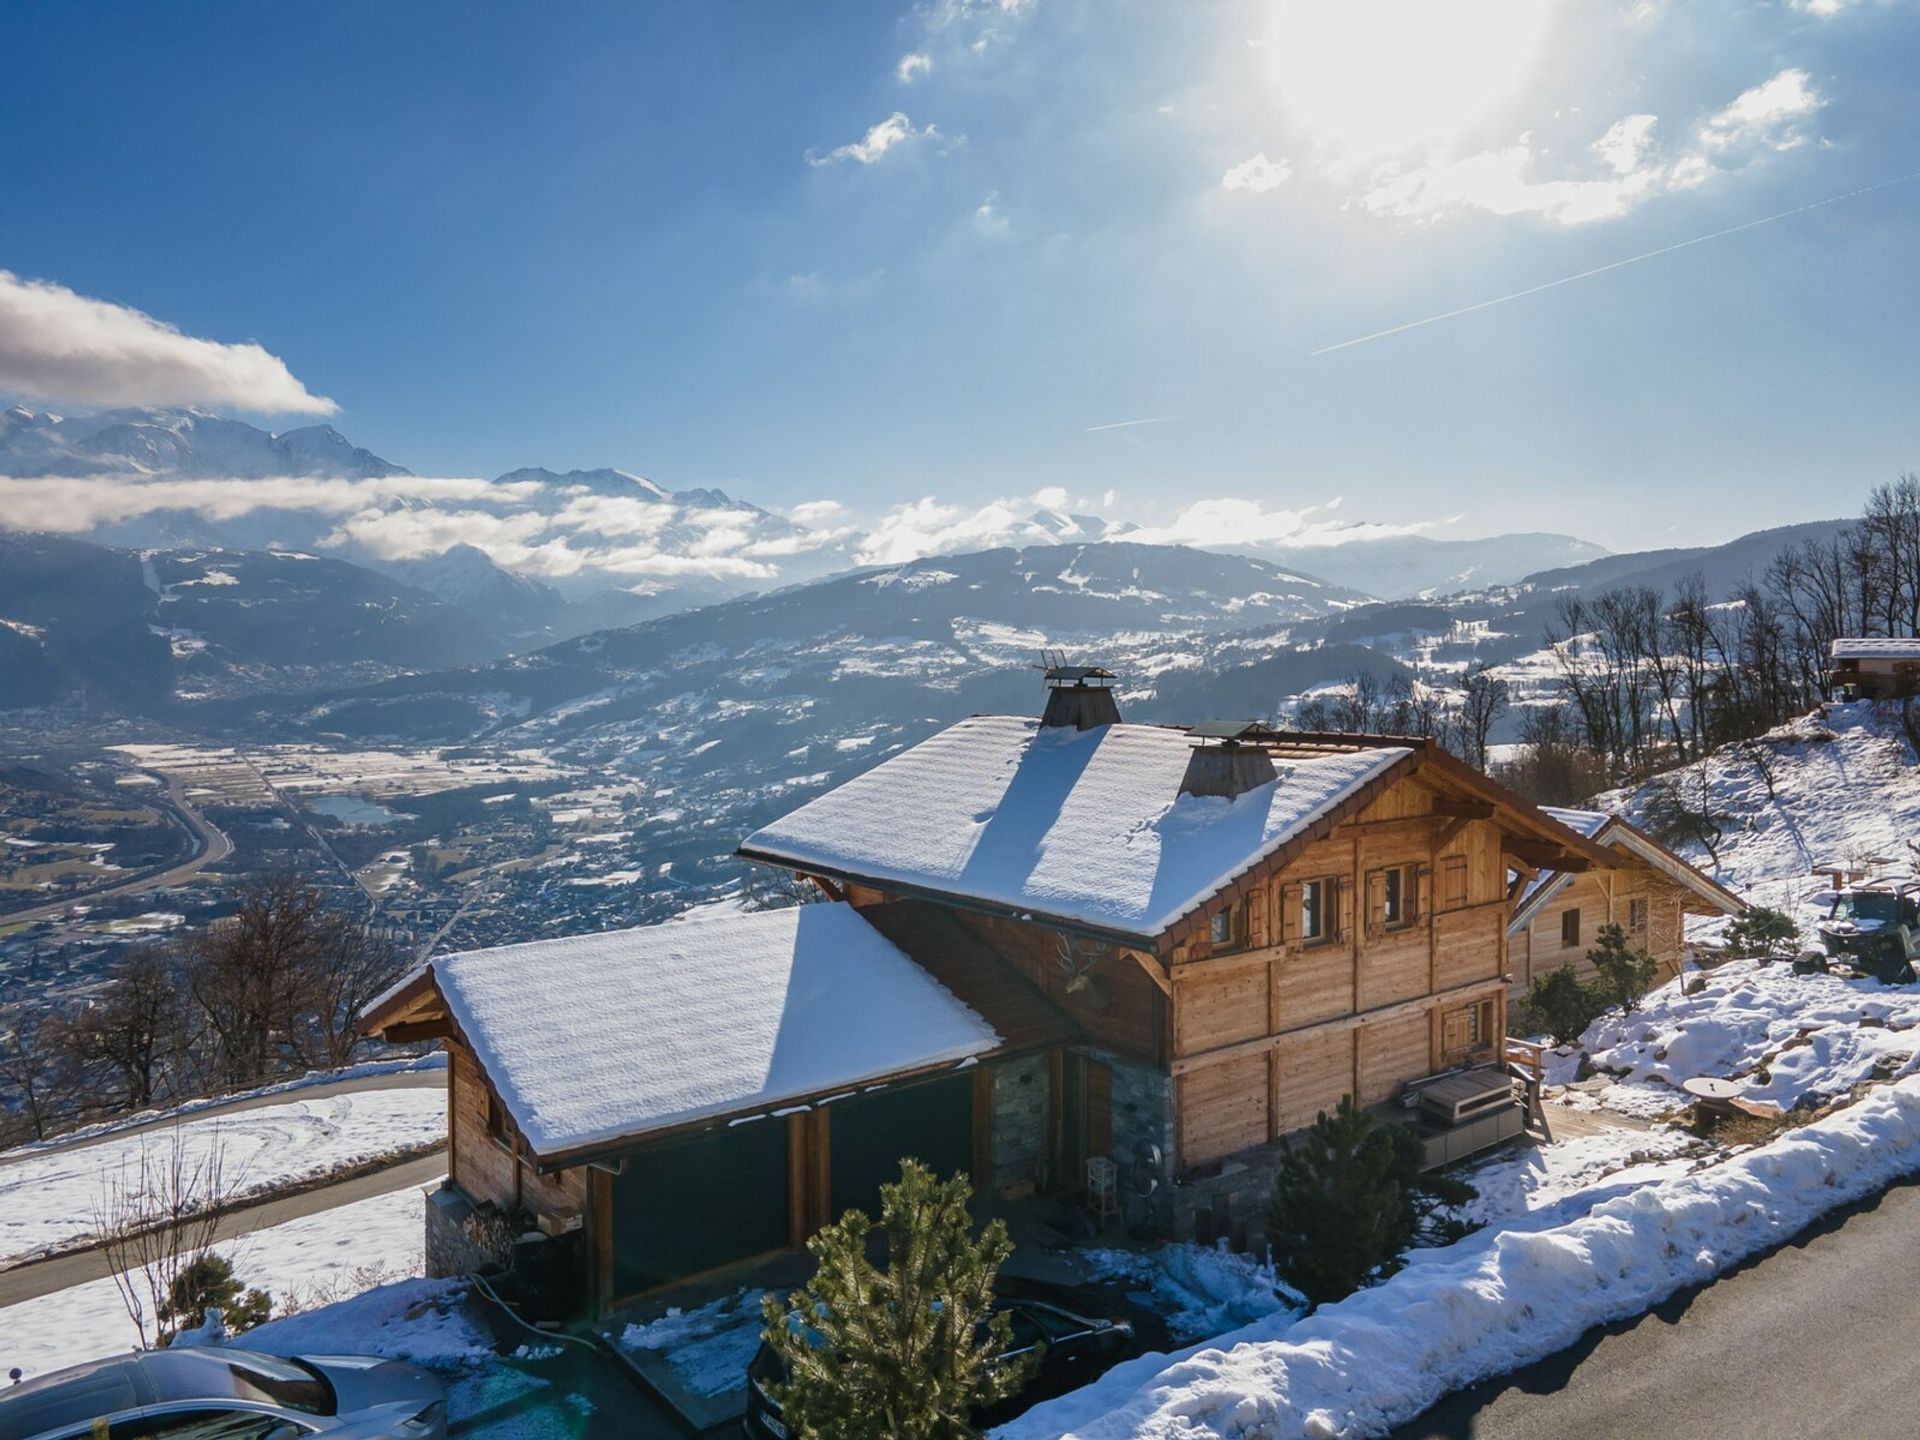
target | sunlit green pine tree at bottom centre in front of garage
[{"x": 903, "y": 1353}]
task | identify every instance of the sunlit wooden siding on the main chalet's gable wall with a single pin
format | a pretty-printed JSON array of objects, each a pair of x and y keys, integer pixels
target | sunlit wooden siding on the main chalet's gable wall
[{"x": 1266, "y": 1036}]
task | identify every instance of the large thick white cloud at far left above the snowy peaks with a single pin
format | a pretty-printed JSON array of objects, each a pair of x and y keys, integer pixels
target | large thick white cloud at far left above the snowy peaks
[{"x": 62, "y": 347}]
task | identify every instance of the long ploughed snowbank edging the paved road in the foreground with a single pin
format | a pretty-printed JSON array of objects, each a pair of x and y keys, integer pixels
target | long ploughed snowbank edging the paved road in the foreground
[{"x": 1495, "y": 1303}]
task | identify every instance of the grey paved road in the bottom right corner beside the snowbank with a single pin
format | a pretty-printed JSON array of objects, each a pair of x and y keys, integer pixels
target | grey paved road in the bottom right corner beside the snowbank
[{"x": 1815, "y": 1339}]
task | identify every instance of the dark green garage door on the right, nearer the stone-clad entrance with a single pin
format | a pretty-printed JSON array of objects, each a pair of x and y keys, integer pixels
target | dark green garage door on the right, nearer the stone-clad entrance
[{"x": 873, "y": 1134}]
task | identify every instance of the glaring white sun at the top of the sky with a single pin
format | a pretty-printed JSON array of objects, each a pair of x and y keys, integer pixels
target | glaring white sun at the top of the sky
[{"x": 1380, "y": 78}]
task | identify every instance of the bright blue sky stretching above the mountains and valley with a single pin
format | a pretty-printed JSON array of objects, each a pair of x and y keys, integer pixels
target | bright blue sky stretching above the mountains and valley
[{"x": 756, "y": 247}]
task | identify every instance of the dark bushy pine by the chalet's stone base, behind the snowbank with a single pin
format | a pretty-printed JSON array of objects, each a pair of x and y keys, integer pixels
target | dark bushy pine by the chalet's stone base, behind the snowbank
[{"x": 1349, "y": 1201}]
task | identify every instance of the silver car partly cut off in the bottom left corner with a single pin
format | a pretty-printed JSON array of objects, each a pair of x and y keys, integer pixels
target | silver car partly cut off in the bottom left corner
[{"x": 229, "y": 1395}]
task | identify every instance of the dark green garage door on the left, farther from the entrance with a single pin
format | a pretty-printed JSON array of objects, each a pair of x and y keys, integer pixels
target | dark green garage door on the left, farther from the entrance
[{"x": 694, "y": 1205}]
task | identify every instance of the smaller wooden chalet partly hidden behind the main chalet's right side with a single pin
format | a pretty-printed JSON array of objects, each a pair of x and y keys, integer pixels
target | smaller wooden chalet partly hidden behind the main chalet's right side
[{"x": 1648, "y": 894}]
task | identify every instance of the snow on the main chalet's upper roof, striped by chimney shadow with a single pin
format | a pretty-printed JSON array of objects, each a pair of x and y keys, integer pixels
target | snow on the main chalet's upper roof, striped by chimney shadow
[{"x": 1076, "y": 825}]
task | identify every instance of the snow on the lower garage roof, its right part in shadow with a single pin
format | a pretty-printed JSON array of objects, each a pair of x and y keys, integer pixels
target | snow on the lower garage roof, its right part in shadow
[{"x": 602, "y": 1038}]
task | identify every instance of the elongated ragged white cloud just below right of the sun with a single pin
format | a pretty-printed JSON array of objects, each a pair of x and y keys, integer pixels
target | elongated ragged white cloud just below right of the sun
[{"x": 1633, "y": 170}]
